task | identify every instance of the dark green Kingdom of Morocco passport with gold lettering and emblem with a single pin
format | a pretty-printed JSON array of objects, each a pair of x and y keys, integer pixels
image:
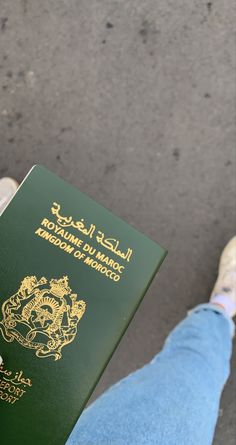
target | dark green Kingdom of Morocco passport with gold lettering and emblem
[{"x": 71, "y": 278}]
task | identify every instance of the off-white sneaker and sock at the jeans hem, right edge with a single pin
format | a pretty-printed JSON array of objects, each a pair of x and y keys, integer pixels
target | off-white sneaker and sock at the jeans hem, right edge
[{"x": 224, "y": 291}]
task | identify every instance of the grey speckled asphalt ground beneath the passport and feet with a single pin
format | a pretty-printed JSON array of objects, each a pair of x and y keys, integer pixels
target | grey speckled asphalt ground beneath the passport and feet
[{"x": 133, "y": 103}]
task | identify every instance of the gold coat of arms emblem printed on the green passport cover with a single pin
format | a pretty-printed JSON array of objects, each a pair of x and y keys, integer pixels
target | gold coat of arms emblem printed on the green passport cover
[{"x": 42, "y": 315}]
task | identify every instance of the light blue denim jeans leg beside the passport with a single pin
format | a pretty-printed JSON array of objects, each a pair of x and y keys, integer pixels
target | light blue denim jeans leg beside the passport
[{"x": 174, "y": 399}]
